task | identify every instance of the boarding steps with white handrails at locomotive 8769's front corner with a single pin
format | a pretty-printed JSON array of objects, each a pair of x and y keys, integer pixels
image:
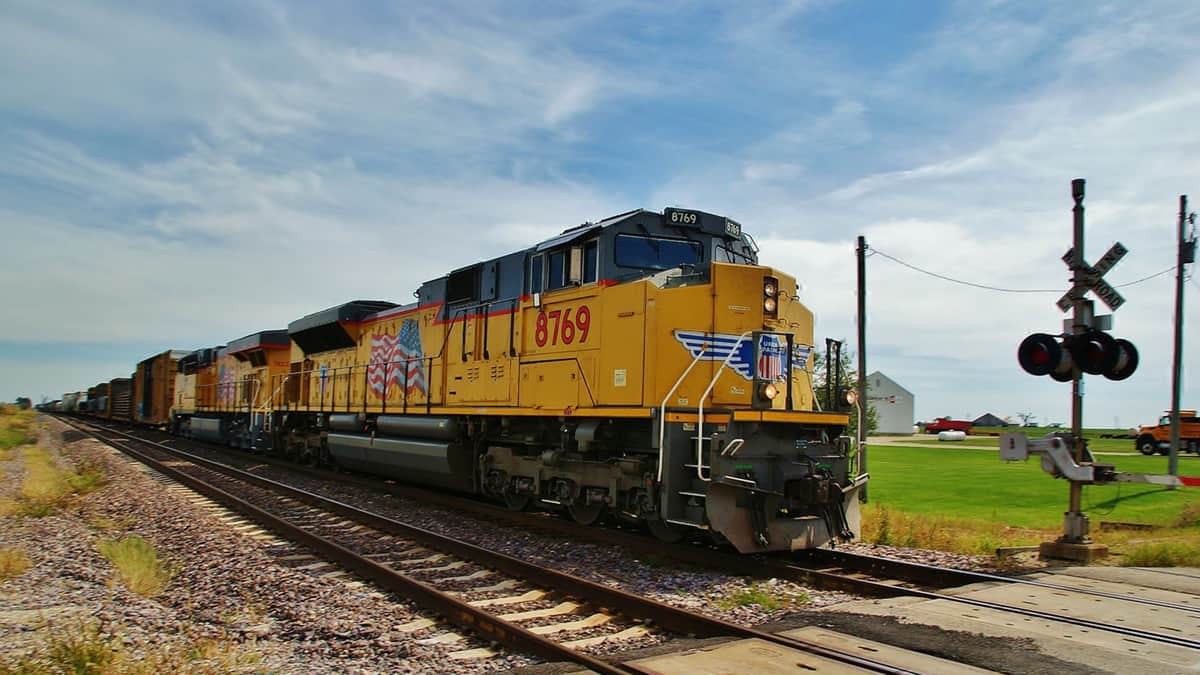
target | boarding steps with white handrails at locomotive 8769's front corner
[{"x": 673, "y": 485}]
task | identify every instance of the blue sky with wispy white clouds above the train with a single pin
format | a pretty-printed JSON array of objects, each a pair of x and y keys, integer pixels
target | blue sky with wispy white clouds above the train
[{"x": 182, "y": 175}]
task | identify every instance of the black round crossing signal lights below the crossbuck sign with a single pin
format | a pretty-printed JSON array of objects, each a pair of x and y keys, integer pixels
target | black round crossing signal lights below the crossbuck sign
[{"x": 1095, "y": 353}]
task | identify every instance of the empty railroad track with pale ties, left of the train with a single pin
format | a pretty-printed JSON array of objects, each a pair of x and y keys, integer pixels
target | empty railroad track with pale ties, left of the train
[{"x": 439, "y": 572}]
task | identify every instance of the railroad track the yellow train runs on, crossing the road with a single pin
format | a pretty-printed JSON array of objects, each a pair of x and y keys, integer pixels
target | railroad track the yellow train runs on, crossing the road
[{"x": 824, "y": 569}]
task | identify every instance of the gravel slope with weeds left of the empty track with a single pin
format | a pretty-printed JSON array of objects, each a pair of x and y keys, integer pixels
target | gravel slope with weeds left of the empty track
[{"x": 230, "y": 601}]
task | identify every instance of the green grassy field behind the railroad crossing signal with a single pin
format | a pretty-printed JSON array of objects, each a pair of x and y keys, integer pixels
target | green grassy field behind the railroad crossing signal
[{"x": 962, "y": 498}]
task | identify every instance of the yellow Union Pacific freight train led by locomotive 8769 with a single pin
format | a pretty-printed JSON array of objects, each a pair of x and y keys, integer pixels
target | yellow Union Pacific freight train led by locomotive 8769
[{"x": 645, "y": 367}]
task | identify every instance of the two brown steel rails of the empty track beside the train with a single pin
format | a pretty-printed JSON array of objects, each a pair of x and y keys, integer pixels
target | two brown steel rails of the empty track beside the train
[{"x": 203, "y": 475}]
